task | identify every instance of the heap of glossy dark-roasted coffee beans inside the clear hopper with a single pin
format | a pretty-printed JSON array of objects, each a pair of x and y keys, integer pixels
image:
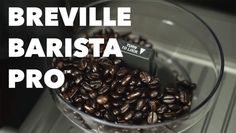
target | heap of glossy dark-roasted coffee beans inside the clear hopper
[{"x": 107, "y": 88}]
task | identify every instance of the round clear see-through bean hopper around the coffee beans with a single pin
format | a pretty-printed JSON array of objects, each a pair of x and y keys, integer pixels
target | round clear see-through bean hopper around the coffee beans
[{"x": 185, "y": 44}]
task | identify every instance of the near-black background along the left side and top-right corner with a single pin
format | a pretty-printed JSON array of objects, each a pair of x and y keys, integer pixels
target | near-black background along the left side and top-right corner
[{"x": 16, "y": 103}]
